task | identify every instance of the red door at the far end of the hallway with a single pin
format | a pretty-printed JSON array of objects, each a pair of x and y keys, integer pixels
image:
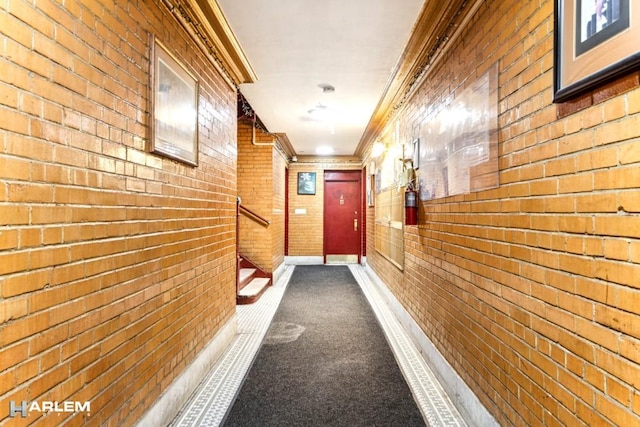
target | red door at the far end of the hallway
[{"x": 342, "y": 216}]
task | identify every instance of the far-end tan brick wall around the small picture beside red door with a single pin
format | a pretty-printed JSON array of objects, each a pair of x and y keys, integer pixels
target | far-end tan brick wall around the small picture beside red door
[{"x": 306, "y": 229}]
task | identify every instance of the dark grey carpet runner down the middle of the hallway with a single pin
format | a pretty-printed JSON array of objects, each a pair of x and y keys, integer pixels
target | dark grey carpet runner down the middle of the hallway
[{"x": 325, "y": 361}]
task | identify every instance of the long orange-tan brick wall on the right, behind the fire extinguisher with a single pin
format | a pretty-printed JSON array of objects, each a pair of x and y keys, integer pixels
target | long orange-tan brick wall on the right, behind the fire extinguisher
[{"x": 531, "y": 290}]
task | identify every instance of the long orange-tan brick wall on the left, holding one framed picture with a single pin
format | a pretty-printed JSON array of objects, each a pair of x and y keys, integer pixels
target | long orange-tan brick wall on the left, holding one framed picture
[{"x": 117, "y": 266}]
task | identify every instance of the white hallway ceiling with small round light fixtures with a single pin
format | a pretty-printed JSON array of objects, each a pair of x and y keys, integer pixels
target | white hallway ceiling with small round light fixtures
[{"x": 298, "y": 46}]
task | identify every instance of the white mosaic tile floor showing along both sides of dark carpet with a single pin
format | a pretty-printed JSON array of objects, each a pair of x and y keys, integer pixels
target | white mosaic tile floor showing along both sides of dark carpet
[{"x": 210, "y": 402}]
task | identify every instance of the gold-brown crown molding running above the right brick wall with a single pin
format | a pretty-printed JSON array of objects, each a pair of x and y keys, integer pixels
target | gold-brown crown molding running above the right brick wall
[{"x": 437, "y": 23}]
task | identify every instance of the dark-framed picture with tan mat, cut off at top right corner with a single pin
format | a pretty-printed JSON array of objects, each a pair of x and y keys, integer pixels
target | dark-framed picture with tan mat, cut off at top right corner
[{"x": 595, "y": 41}]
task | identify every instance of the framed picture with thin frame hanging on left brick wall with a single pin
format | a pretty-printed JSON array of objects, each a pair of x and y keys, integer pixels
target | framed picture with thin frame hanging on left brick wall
[{"x": 174, "y": 107}]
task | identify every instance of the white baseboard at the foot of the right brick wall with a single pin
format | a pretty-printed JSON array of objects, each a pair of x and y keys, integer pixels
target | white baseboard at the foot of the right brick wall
[{"x": 467, "y": 403}]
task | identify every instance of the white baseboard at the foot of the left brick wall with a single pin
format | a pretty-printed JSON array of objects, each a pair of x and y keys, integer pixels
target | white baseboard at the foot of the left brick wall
[{"x": 165, "y": 409}]
